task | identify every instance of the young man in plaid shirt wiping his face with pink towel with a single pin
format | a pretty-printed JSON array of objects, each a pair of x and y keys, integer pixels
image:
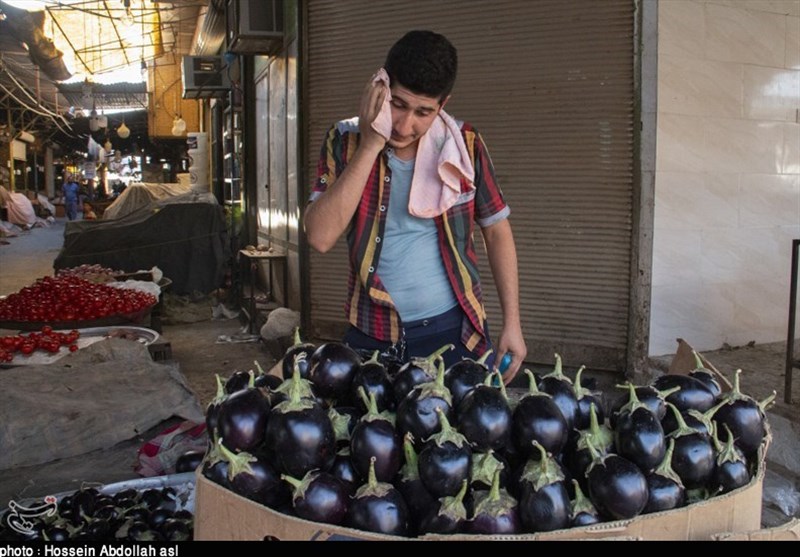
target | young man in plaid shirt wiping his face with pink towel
[{"x": 408, "y": 184}]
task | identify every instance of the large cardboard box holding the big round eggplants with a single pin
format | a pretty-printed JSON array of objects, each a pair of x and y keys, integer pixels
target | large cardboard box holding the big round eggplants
[{"x": 223, "y": 515}]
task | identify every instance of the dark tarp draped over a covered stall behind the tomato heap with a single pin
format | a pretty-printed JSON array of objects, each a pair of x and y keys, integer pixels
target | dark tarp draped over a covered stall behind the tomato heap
[{"x": 185, "y": 236}]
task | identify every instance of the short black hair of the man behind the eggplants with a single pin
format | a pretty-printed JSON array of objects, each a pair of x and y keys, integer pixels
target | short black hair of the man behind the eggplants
[{"x": 423, "y": 62}]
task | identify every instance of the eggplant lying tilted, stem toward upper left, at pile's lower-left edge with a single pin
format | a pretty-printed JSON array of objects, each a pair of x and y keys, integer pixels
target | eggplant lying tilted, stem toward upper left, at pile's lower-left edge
[{"x": 253, "y": 477}]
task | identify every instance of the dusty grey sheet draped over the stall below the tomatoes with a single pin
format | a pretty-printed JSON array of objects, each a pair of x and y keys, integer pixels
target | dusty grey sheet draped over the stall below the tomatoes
[{"x": 93, "y": 399}]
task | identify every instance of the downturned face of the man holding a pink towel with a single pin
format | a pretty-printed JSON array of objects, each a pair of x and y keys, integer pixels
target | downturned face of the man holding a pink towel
[{"x": 412, "y": 116}]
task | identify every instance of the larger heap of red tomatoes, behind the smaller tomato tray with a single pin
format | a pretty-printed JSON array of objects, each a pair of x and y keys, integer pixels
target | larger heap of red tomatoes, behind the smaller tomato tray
[{"x": 65, "y": 298}]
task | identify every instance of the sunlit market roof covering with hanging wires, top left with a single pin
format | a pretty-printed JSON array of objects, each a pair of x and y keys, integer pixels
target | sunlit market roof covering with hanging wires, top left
[{"x": 61, "y": 59}]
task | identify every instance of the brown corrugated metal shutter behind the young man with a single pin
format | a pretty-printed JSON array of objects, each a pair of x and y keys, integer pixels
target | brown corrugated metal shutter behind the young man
[{"x": 550, "y": 85}]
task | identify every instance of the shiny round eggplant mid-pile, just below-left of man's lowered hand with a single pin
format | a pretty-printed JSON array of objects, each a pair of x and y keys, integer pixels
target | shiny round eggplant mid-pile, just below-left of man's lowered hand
[{"x": 484, "y": 416}]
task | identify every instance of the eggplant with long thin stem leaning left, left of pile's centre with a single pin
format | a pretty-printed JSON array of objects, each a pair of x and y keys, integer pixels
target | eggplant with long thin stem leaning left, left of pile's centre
[{"x": 375, "y": 440}]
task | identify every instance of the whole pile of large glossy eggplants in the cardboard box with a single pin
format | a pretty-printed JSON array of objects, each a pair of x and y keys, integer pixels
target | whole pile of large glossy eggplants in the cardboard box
[{"x": 363, "y": 441}]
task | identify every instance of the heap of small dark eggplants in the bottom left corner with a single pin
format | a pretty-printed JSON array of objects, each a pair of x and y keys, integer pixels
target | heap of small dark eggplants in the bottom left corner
[{"x": 152, "y": 514}]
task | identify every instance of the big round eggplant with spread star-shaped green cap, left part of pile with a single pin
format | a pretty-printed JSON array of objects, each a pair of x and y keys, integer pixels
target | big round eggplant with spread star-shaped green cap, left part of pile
[{"x": 300, "y": 436}]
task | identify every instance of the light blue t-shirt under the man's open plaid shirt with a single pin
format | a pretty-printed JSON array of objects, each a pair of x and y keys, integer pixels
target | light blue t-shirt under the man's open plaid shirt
[{"x": 411, "y": 264}]
